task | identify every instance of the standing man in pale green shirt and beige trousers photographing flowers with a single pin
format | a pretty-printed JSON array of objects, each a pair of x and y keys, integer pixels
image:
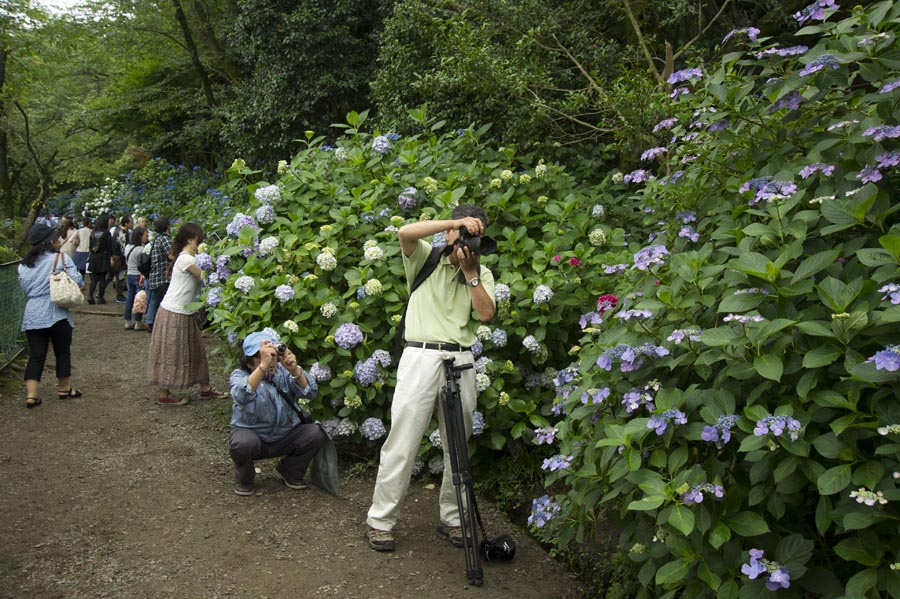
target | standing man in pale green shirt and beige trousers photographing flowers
[{"x": 438, "y": 324}]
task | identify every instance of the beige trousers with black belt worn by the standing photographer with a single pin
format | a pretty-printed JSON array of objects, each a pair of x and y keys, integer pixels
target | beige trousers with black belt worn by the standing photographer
[{"x": 420, "y": 377}]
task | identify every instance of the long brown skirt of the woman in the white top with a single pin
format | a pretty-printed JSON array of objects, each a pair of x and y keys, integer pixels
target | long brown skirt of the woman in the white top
[{"x": 177, "y": 358}]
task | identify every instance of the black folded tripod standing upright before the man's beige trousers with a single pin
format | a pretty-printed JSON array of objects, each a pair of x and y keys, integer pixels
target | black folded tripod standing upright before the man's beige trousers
[{"x": 459, "y": 465}]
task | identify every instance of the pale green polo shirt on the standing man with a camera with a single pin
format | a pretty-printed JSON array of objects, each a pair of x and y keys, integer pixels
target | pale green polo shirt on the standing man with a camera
[{"x": 441, "y": 308}]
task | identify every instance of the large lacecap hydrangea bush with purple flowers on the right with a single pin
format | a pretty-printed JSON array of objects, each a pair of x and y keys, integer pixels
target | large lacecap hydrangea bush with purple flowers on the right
[{"x": 748, "y": 444}]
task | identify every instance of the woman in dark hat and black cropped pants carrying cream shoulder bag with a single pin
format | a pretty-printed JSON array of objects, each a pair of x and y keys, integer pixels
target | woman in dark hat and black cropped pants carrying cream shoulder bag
[{"x": 44, "y": 322}]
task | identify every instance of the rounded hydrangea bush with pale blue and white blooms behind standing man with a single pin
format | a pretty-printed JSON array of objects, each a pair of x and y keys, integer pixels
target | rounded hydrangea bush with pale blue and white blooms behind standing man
[{"x": 314, "y": 254}]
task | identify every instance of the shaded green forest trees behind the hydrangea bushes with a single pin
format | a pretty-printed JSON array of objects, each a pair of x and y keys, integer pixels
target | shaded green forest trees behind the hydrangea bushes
[{"x": 97, "y": 92}]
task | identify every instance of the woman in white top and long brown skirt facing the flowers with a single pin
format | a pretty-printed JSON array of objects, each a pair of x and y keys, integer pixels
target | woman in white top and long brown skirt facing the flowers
[{"x": 177, "y": 358}]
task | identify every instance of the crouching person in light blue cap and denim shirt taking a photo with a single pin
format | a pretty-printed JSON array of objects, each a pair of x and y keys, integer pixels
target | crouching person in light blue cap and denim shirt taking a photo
[{"x": 265, "y": 419}]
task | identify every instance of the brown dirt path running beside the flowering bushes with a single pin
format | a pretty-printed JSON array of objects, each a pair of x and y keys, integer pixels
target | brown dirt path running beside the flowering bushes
[{"x": 113, "y": 495}]
